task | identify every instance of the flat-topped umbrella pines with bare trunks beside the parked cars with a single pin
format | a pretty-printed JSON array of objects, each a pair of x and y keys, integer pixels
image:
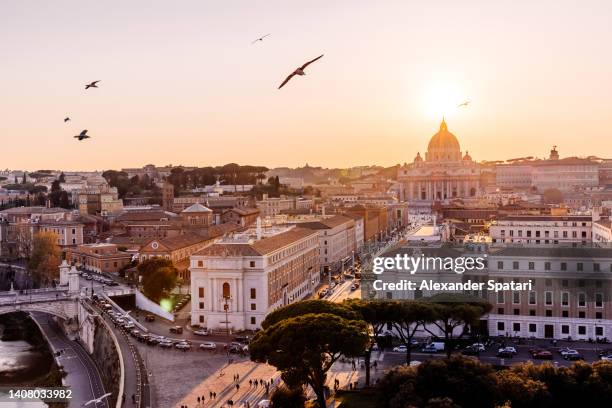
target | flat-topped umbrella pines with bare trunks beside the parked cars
[{"x": 304, "y": 339}]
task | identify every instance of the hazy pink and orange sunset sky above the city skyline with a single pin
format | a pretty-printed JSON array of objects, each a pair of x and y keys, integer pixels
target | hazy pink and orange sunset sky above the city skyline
[{"x": 181, "y": 83}]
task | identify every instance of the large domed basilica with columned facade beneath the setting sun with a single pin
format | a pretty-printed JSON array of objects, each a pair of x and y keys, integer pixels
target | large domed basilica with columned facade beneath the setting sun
[{"x": 444, "y": 173}]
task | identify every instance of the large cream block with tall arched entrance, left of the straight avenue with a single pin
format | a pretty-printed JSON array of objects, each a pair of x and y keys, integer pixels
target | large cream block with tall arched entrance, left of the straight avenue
[{"x": 236, "y": 283}]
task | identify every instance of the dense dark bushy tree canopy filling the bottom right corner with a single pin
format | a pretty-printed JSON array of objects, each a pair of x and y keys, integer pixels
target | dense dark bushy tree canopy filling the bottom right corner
[{"x": 467, "y": 382}]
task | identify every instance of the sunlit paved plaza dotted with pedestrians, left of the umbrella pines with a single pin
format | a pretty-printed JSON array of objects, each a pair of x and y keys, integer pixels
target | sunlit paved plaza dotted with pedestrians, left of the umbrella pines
[{"x": 222, "y": 382}]
